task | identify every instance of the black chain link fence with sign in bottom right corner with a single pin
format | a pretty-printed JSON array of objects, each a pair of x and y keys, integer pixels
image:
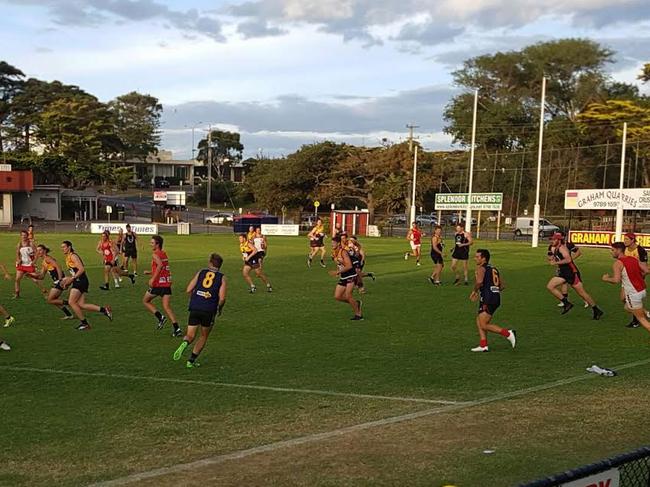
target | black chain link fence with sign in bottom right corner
[{"x": 631, "y": 469}]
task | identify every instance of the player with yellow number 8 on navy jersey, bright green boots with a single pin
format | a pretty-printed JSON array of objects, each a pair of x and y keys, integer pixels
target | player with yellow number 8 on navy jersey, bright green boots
[{"x": 207, "y": 291}]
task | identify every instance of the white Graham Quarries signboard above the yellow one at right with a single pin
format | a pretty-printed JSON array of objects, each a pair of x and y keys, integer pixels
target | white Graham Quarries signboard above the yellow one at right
[{"x": 606, "y": 199}]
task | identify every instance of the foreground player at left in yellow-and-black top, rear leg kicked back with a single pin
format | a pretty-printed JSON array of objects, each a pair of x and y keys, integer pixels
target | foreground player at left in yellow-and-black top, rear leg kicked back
[{"x": 78, "y": 283}]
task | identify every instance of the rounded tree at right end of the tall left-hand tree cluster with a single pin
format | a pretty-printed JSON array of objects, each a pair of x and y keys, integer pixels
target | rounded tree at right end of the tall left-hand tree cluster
[{"x": 137, "y": 122}]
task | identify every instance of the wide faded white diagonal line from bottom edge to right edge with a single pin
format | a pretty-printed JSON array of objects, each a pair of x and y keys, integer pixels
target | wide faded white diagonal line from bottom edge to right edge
[{"x": 158, "y": 472}]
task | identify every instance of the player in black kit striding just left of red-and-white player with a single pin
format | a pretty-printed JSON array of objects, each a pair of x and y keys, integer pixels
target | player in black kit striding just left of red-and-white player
[{"x": 567, "y": 272}]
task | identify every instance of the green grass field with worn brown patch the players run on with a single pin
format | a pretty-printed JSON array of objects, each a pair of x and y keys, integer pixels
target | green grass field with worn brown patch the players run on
[{"x": 397, "y": 399}]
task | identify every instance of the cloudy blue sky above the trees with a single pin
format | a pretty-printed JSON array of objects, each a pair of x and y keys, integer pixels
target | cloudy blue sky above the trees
[{"x": 285, "y": 73}]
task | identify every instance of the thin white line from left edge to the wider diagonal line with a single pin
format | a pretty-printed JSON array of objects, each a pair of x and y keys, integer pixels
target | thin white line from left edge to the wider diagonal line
[{"x": 228, "y": 384}]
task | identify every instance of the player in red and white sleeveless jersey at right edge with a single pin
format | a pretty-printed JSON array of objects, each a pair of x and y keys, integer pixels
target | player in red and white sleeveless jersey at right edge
[{"x": 628, "y": 272}]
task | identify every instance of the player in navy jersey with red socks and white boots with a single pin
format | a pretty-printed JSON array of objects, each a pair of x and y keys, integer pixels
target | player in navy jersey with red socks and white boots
[{"x": 487, "y": 290}]
